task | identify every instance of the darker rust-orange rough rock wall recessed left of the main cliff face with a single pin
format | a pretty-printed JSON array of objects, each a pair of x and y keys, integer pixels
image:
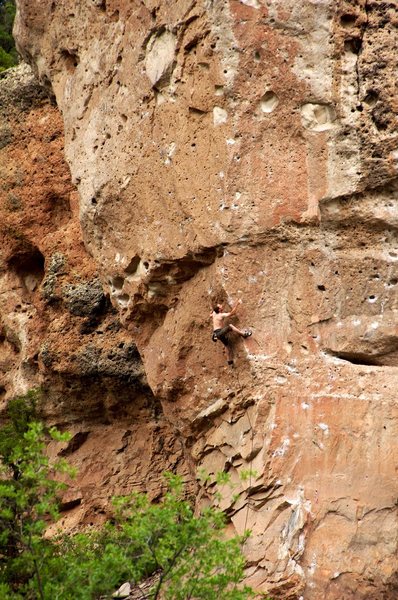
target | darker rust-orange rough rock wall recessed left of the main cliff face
[{"x": 58, "y": 329}]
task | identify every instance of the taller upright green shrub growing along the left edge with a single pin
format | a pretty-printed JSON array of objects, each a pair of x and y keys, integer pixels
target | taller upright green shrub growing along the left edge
[{"x": 28, "y": 495}]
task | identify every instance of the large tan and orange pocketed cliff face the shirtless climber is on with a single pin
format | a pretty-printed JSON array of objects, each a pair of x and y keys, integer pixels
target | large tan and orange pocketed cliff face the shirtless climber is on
[{"x": 248, "y": 148}]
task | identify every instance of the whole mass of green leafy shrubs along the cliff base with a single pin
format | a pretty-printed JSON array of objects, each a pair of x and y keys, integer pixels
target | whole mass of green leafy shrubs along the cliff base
[{"x": 189, "y": 555}]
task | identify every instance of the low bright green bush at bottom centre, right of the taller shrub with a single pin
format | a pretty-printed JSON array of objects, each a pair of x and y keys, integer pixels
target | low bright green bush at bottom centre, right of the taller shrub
[{"x": 190, "y": 553}]
